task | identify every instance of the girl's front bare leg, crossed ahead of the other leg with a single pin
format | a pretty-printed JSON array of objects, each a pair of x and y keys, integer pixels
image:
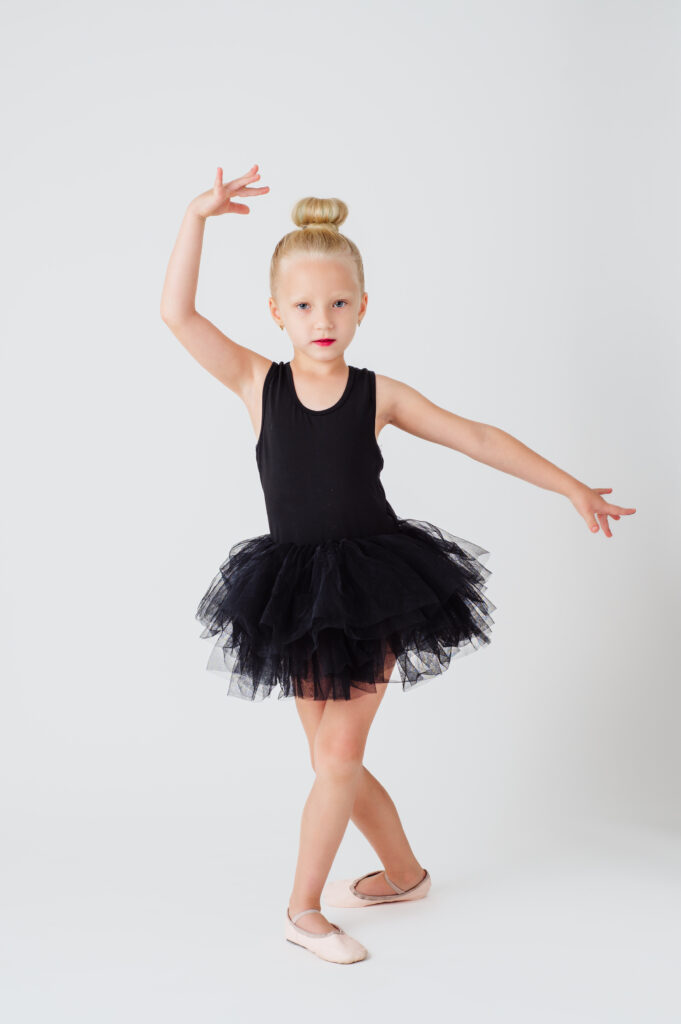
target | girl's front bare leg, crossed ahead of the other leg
[{"x": 339, "y": 747}]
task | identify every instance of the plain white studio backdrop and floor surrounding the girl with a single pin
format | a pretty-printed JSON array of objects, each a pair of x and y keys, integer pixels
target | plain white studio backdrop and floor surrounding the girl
[{"x": 513, "y": 177}]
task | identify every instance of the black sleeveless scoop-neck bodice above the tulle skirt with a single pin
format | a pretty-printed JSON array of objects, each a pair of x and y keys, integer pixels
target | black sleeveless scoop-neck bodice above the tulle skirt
[{"x": 321, "y": 470}]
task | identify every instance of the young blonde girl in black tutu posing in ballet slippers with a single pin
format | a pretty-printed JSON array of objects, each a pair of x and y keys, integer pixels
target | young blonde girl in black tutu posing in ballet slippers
[{"x": 343, "y": 596}]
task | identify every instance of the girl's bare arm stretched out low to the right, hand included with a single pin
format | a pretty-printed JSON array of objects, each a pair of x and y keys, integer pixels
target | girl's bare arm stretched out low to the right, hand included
[{"x": 411, "y": 411}]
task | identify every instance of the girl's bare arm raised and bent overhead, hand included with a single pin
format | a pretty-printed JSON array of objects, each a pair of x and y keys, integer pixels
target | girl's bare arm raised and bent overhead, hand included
[{"x": 232, "y": 364}]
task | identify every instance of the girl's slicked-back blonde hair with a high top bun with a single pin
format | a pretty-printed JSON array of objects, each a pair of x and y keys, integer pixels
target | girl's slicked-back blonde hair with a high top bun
[{"x": 317, "y": 234}]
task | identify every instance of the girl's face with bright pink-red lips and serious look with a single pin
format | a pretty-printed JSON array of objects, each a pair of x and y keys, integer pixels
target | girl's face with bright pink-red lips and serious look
[{"x": 319, "y": 297}]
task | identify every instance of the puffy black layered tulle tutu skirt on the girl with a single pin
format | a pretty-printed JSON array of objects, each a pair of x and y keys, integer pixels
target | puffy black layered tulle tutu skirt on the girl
[{"x": 330, "y": 621}]
